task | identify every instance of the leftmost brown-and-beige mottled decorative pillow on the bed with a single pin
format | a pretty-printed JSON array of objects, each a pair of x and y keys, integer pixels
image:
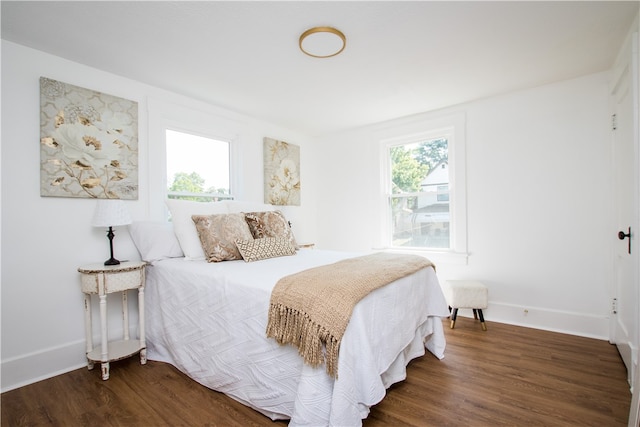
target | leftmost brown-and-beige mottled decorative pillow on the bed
[{"x": 218, "y": 235}]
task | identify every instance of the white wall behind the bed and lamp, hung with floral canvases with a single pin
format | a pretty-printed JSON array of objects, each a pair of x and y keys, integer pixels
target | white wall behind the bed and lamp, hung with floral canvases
[{"x": 44, "y": 240}]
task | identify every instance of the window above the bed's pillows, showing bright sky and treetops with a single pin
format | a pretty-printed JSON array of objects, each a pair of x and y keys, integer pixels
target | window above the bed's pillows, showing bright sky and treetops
[{"x": 197, "y": 167}]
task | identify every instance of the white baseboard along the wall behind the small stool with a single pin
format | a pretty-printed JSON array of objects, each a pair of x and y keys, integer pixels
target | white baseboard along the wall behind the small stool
[{"x": 566, "y": 322}]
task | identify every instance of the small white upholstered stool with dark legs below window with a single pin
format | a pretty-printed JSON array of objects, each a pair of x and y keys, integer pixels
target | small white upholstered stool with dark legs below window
[{"x": 466, "y": 294}]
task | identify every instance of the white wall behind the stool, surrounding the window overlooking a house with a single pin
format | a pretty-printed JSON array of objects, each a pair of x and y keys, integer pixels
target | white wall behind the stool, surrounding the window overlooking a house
[{"x": 540, "y": 229}]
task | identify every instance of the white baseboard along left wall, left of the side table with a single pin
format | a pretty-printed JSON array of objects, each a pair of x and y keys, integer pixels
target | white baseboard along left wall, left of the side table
[{"x": 38, "y": 366}]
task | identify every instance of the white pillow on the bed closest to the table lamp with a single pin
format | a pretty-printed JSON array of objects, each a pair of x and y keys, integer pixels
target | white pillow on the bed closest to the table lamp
[{"x": 155, "y": 240}]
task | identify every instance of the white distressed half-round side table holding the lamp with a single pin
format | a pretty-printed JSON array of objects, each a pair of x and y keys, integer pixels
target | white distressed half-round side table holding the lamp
[{"x": 101, "y": 280}]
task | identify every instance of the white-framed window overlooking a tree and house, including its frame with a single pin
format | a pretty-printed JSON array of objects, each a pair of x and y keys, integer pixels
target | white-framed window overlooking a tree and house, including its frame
[{"x": 424, "y": 187}]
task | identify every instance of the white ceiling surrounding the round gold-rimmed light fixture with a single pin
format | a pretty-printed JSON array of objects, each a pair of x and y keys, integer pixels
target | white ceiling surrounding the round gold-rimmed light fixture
[{"x": 401, "y": 58}]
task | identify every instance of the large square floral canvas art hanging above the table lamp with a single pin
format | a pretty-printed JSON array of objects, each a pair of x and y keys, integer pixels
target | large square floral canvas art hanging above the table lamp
[{"x": 88, "y": 143}]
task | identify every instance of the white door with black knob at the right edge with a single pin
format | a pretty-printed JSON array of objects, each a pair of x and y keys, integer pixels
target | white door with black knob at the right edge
[{"x": 625, "y": 332}]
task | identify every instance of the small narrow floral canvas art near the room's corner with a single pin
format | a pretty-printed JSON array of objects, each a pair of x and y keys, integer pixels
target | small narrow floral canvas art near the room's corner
[{"x": 281, "y": 173}]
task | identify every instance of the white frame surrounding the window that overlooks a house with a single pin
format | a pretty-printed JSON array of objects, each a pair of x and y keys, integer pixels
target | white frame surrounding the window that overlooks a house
[{"x": 423, "y": 129}]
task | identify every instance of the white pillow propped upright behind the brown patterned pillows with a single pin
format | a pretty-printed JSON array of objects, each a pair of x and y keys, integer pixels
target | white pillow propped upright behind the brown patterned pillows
[{"x": 185, "y": 229}]
